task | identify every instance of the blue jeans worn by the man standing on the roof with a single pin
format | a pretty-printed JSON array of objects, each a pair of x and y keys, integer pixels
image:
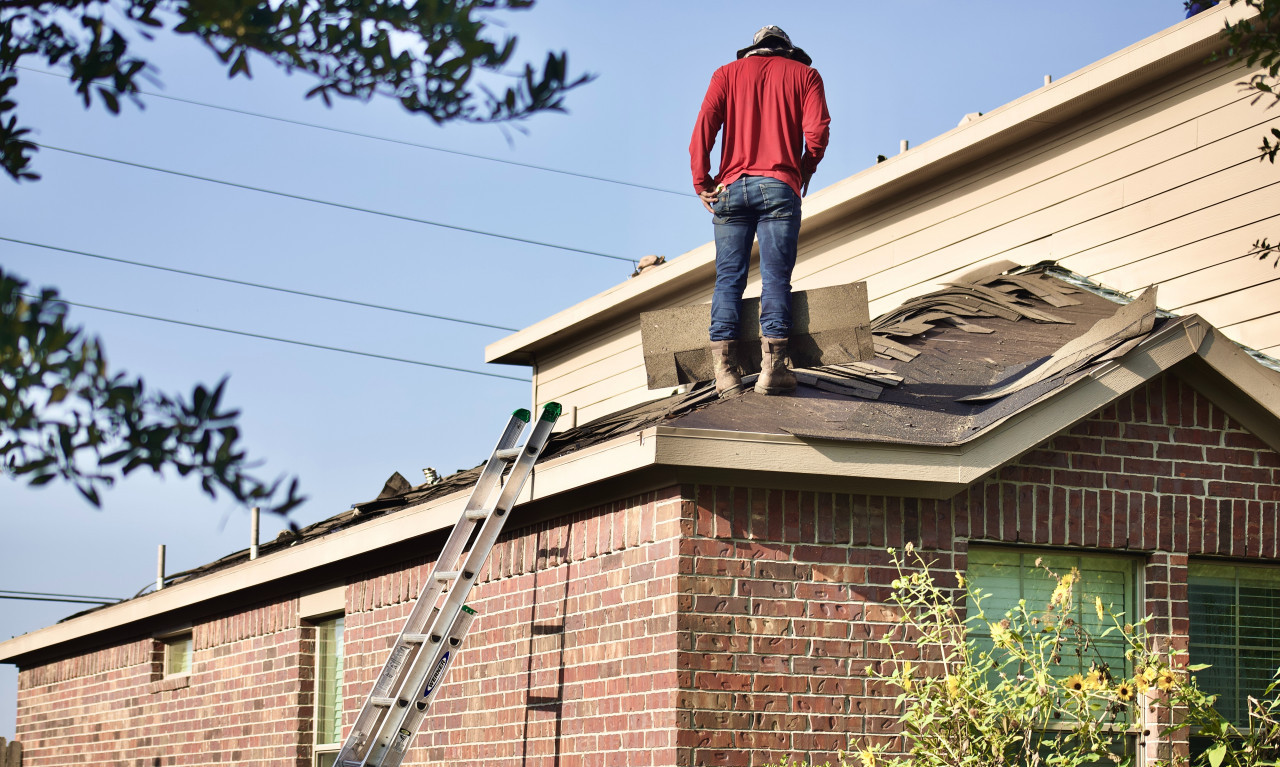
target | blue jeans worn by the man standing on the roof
[{"x": 755, "y": 206}]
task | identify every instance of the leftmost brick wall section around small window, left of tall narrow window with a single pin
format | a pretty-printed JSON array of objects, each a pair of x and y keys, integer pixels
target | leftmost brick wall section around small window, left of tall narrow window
[{"x": 244, "y": 702}]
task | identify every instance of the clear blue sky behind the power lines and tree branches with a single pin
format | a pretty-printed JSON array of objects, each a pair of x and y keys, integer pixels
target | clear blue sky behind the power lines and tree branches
[{"x": 344, "y": 424}]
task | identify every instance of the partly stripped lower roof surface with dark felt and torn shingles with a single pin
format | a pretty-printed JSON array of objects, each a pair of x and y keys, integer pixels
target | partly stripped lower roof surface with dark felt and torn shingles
[{"x": 938, "y": 355}]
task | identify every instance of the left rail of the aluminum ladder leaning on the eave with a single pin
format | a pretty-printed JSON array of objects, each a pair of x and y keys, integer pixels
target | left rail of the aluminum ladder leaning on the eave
[{"x": 403, "y": 655}]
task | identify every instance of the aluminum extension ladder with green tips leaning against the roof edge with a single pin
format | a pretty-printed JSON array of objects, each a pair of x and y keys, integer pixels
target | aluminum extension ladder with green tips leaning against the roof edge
[{"x": 433, "y": 633}]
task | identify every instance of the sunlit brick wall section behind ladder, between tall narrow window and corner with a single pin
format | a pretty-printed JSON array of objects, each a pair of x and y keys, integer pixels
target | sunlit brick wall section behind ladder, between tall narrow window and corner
[{"x": 572, "y": 661}]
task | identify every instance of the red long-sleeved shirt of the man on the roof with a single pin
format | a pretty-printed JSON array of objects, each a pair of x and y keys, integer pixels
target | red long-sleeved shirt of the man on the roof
[{"x": 775, "y": 117}]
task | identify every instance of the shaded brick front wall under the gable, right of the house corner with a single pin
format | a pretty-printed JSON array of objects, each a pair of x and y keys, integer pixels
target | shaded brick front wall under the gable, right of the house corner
[{"x": 783, "y": 592}]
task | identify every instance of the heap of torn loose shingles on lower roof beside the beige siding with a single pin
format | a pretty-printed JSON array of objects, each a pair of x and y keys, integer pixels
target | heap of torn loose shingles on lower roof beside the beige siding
[{"x": 1007, "y": 296}]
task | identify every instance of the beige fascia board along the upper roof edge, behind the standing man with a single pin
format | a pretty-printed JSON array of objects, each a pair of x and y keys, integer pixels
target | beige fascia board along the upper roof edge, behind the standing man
[{"x": 1144, "y": 62}]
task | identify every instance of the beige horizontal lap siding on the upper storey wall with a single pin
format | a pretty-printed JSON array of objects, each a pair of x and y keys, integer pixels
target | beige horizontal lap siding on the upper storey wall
[{"x": 1156, "y": 190}]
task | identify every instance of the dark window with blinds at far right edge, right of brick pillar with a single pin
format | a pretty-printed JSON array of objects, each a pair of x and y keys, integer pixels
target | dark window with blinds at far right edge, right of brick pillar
[{"x": 1236, "y": 629}]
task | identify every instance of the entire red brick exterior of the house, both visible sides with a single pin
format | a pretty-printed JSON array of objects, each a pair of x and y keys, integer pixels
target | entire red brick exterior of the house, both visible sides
[{"x": 698, "y": 626}]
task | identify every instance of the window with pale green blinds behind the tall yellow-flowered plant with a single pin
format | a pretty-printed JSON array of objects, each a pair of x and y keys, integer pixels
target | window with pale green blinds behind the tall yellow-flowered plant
[{"x": 1009, "y": 576}]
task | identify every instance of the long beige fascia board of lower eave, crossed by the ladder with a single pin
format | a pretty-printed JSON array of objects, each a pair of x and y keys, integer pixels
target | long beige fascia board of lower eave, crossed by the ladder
[{"x": 557, "y": 476}]
